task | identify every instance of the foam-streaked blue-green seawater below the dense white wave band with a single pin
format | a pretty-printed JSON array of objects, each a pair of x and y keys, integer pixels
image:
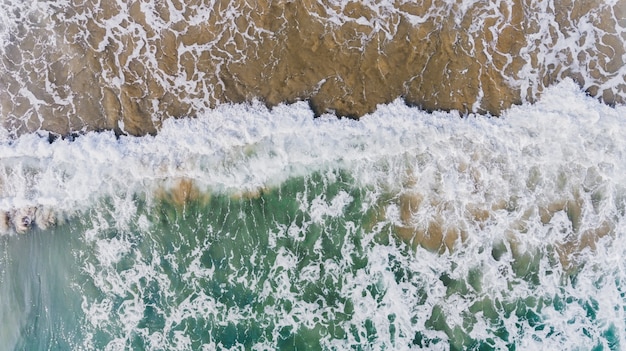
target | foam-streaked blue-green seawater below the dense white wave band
[{"x": 259, "y": 272}]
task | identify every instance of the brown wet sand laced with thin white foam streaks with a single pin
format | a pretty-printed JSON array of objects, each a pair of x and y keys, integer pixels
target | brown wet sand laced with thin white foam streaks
[{"x": 127, "y": 66}]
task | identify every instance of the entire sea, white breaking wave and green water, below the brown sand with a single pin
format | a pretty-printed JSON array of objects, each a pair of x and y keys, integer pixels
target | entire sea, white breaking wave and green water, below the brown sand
[{"x": 247, "y": 228}]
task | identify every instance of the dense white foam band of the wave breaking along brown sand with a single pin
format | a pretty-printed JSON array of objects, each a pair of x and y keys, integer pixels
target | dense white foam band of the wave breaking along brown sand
[{"x": 235, "y": 147}]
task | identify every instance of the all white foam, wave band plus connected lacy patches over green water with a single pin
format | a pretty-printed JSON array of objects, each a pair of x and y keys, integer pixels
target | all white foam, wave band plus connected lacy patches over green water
[{"x": 565, "y": 151}]
